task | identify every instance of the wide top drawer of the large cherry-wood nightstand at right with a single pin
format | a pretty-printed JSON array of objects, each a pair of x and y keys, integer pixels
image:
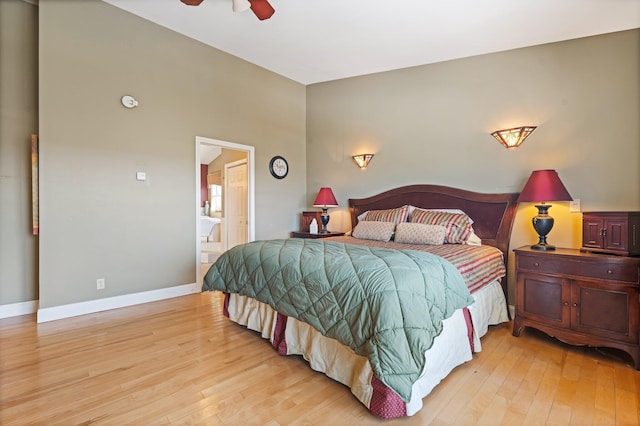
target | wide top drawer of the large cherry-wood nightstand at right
[{"x": 588, "y": 268}]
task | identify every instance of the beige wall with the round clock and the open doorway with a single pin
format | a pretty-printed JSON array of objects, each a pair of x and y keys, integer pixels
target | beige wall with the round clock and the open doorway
[{"x": 99, "y": 222}]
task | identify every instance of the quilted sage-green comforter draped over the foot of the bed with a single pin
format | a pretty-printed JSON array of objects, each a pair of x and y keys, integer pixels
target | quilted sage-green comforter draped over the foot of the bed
[{"x": 387, "y": 305}]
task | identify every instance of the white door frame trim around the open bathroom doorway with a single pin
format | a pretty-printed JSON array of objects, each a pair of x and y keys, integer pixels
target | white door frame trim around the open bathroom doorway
[{"x": 250, "y": 151}]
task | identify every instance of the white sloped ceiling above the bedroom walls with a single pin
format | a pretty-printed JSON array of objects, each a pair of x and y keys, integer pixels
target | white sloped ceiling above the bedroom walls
[{"x": 312, "y": 41}]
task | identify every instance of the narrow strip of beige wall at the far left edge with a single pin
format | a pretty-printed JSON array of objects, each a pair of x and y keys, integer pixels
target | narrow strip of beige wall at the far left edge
[{"x": 18, "y": 120}]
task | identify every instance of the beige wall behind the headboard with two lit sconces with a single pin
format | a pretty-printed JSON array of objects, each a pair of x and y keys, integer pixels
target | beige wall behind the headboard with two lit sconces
[{"x": 432, "y": 124}]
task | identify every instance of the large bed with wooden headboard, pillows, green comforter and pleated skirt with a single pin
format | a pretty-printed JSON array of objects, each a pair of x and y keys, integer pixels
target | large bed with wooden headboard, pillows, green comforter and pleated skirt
[{"x": 385, "y": 385}]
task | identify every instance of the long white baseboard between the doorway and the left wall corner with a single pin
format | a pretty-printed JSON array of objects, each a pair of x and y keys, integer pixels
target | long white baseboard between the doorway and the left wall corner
[{"x": 98, "y": 305}]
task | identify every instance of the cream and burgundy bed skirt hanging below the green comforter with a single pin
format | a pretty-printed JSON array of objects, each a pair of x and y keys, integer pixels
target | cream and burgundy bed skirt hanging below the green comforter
[{"x": 460, "y": 337}]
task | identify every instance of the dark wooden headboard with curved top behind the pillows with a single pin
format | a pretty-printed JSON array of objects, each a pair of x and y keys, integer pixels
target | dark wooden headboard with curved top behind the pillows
[{"x": 492, "y": 214}]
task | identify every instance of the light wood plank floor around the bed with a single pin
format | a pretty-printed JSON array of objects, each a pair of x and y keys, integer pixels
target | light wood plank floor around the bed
[{"x": 180, "y": 362}]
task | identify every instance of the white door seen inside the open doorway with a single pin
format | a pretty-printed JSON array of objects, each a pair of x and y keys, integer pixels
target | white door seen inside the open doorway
[{"x": 235, "y": 203}]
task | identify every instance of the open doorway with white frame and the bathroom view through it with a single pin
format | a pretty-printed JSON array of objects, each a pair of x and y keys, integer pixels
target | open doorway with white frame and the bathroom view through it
[{"x": 236, "y": 205}]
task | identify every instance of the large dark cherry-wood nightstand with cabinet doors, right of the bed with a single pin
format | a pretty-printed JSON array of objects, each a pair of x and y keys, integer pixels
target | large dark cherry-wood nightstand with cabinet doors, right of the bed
[{"x": 580, "y": 298}]
